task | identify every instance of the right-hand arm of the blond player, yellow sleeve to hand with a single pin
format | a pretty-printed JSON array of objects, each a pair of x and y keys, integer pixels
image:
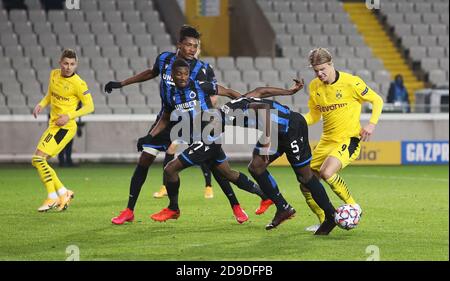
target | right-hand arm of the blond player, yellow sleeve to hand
[{"x": 366, "y": 94}]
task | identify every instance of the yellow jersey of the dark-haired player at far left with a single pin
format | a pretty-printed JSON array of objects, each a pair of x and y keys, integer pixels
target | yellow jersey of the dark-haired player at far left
[{"x": 64, "y": 94}]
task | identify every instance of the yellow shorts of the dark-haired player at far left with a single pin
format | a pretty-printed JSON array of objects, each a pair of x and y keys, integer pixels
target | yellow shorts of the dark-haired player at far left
[{"x": 56, "y": 138}]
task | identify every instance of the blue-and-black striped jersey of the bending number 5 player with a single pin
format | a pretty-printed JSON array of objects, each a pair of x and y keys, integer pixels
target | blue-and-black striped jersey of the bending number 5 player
[{"x": 279, "y": 114}]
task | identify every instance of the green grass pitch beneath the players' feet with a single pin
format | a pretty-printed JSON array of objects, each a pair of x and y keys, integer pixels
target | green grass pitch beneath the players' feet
[{"x": 406, "y": 217}]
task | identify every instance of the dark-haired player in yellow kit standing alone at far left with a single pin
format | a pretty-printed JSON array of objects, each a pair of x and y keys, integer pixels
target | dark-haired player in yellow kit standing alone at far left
[{"x": 65, "y": 90}]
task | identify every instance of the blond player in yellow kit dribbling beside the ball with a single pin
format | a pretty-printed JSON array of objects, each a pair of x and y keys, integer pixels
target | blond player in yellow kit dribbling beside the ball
[{"x": 337, "y": 97}]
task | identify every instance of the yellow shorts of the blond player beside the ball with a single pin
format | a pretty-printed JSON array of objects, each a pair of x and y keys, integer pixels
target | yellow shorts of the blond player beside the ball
[{"x": 346, "y": 151}]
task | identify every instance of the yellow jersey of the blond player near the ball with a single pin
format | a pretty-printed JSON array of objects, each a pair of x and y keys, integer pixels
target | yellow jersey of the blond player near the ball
[{"x": 339, "y": 105}]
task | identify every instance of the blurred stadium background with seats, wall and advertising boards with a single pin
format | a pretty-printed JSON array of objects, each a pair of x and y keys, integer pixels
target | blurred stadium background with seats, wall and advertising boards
[{"x": 249, "y": 43}]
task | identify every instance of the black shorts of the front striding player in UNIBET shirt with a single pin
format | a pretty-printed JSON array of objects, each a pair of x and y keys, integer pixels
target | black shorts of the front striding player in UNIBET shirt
[{"x": 199, "y": 153}]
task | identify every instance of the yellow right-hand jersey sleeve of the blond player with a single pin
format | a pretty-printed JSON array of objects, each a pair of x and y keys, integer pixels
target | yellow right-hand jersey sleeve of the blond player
[{"x": 365, "y": 94}]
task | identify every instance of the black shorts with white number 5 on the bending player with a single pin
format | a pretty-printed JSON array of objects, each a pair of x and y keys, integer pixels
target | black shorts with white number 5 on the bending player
[{"x": 294, "y": 143}]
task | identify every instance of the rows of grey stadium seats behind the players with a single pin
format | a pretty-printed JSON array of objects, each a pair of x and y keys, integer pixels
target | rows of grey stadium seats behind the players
[{"x": 116, "y": 39}]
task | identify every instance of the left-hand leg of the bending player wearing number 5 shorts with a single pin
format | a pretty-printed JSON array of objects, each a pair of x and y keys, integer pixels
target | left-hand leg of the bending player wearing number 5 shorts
[{"x": 258, "y": 169}]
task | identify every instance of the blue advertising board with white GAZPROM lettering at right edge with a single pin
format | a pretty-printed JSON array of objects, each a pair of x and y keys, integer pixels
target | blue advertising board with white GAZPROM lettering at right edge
[{"x": 424, "y": 152}]
